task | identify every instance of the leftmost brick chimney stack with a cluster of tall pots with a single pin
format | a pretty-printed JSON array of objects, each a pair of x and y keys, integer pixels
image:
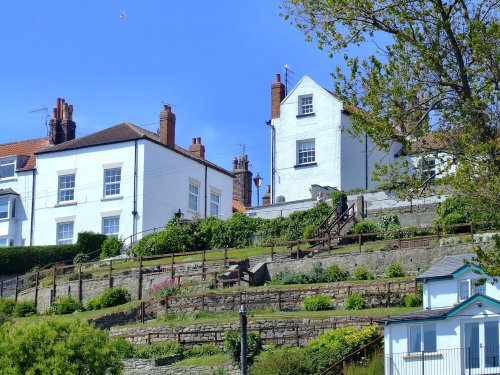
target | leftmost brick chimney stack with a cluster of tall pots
[{"x": 62, "y": 126}]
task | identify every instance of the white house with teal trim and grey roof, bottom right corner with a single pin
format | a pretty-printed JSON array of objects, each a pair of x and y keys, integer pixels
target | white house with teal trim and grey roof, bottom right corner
[{"x": 458, "y": 332}]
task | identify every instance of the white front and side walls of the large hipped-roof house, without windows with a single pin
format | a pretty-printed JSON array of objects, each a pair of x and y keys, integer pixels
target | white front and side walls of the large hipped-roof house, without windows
[{"x": 161, "y": 189}]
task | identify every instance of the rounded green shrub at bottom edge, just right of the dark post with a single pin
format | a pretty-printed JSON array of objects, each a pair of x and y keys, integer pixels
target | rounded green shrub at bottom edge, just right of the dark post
[{"x": 283, "y": 361}]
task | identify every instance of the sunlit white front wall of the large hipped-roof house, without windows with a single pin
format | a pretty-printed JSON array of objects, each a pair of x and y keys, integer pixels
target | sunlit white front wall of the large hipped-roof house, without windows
[{"x": 89, "y": 206}]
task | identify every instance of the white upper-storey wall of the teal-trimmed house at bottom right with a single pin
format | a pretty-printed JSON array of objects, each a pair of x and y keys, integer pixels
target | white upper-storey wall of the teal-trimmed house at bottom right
[{"x": 444, "y": 293}]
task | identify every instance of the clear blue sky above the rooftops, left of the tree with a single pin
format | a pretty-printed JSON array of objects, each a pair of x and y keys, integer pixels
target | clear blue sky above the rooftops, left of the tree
[{"x": 214, "y": 61}]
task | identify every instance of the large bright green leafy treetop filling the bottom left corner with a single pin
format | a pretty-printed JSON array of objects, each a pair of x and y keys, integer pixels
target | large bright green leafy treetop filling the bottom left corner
[{"x": 56, "y": 347}]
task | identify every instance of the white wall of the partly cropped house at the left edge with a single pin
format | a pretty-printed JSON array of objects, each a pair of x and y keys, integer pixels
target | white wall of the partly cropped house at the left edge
[{"x": 18, "y": 228}]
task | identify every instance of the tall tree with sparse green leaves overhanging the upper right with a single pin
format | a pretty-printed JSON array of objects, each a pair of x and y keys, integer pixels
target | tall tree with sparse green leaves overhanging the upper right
[{"x": 433, "y": 76}]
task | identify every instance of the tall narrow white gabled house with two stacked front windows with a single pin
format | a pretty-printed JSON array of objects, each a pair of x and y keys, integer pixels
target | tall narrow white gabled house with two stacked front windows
[{"x": 311, "y": 144}]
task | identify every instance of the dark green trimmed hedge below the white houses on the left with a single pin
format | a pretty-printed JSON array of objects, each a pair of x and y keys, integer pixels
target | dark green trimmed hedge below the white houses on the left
[{"x": 21, "y": 259}]
